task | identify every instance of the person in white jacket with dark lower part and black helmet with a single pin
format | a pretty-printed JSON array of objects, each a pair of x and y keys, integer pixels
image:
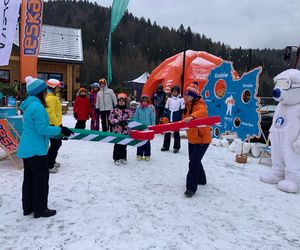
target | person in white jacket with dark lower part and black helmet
[{"x": 173, "y": 111}]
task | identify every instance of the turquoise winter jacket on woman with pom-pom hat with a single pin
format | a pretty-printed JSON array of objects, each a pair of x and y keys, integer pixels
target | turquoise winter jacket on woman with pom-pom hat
[{"x": 36, "y": 129}]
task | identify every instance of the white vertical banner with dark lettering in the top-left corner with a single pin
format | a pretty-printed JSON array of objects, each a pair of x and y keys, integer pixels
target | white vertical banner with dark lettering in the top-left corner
[{"x": 9, "y": 11}]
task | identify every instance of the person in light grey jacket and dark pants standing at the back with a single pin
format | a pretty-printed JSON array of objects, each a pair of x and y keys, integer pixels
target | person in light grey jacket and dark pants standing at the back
[{"x": 105, "y": 102}]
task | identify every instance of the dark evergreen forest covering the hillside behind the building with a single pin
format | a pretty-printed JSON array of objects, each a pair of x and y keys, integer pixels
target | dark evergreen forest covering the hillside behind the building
[{"x": 139, "y": 45}]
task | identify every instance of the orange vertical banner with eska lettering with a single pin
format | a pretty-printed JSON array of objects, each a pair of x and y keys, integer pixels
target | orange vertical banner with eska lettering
[{"x": 30, "y": 36}]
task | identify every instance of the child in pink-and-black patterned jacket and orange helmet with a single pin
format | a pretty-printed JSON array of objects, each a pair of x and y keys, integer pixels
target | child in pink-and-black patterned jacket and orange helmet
[{"x": 118, "y": 118}]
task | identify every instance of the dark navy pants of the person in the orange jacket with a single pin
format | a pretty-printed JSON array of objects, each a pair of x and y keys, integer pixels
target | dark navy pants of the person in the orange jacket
[{"x": 196, "y": 174}]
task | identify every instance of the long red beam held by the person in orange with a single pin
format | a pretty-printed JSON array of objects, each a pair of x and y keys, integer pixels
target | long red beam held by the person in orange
[{"x": 174, "y": 126}]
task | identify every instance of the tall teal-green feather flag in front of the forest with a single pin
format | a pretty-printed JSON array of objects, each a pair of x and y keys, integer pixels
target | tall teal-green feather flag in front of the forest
[{"x": 117, "y": 11}]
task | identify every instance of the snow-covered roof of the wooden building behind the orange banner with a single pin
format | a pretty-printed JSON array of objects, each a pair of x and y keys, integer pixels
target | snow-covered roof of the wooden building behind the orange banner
[{"x": 59, "y": 43}]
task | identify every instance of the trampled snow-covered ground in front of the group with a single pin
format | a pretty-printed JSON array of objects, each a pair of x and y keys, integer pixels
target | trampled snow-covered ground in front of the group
[{"x": 142, "y": 206}]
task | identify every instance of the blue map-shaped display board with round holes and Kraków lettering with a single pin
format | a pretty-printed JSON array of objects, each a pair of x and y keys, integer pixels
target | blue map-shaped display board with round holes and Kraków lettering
[{"x": 234, "y": 100}]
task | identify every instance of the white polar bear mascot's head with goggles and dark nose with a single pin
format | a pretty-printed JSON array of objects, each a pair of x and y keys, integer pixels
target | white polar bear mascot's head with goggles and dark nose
[{"x": 287, "y": 87}]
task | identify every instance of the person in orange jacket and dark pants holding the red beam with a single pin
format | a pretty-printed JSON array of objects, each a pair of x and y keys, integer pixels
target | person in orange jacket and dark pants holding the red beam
[{"x": 198, "y": 138}]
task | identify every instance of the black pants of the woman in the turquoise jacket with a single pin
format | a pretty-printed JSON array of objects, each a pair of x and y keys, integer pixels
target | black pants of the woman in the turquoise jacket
[{"x": 35, "y": 183}]
